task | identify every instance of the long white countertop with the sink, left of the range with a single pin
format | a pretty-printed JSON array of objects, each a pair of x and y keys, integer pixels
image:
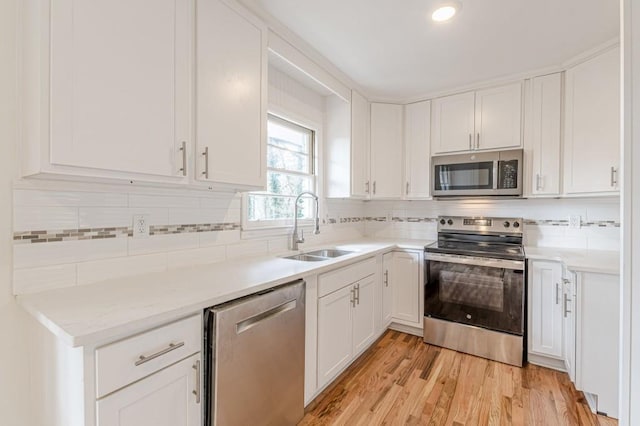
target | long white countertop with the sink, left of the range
[{"x": 95, "y": 313}]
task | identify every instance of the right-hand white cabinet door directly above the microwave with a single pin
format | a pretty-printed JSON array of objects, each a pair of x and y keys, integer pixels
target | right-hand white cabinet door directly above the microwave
[{"x": 498, "y": 117}]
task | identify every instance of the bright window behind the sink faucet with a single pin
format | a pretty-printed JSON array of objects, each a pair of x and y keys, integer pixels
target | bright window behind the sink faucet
[{"x": 290, "y": 171}]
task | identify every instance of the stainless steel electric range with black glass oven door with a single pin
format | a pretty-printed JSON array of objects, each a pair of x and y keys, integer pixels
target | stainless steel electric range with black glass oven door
[{"x": 475, "y": 288}]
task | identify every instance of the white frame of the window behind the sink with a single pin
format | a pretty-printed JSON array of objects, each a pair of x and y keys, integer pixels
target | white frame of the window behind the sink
[{"x": 280, "y": 226}]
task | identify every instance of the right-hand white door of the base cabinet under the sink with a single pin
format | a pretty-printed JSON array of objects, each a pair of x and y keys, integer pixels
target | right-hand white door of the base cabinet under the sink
[{"x": 364, "y": 332}]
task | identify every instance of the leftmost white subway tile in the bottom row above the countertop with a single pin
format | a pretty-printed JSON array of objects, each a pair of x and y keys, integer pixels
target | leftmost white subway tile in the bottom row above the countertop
[{"x": 33, "y": 280}]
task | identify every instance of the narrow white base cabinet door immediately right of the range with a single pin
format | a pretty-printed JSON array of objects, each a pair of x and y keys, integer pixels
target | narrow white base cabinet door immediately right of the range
[{"x": 545, "y": 307}]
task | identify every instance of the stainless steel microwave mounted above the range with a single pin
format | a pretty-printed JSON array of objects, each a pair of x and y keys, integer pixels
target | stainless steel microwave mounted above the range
[{"x": 480, "y": 174}]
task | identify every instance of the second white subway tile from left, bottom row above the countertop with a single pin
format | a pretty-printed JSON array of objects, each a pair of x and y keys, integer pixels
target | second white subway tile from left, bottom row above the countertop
[{"x": 95, "y": 271}]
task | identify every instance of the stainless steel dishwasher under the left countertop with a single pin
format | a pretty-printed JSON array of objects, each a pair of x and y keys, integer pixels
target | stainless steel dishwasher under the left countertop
[{"x": 254, "y": 363}]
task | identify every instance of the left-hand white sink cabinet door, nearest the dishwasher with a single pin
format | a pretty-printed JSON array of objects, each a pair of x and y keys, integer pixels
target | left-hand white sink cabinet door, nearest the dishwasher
[{"x": 335, "y": 333}]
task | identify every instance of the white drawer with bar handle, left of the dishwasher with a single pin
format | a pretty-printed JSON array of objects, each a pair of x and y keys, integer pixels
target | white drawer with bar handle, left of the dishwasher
[{"x": 121, "y": 363}]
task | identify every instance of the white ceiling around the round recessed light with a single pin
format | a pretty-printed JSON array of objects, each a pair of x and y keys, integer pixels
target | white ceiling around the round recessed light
[{"x": 394, "y": 51}]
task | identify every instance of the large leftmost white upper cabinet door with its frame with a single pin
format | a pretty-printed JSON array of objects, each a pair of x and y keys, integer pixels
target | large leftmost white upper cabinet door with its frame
[{"x": 107, "y": 89}]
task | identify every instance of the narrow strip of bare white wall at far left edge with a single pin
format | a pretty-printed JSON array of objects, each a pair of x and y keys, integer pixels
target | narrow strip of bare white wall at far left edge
[{"x": 14, "y": 374}]
